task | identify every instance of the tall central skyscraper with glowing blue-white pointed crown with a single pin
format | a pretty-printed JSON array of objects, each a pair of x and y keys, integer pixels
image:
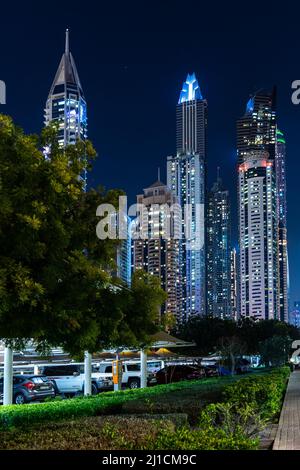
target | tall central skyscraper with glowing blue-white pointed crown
[{"x": 186, "y": 176}]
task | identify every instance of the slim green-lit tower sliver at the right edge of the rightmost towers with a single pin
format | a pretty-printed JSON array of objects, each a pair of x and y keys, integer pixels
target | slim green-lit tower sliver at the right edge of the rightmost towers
[{"x": 280, "y": 156}]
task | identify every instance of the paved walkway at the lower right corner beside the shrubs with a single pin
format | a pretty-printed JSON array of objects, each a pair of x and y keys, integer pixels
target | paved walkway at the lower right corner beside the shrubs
[{"x": 288, "y": 433}]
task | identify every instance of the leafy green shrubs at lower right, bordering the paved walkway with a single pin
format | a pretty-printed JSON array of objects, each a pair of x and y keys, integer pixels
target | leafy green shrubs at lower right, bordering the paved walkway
[{"x": 248, "y": 406}]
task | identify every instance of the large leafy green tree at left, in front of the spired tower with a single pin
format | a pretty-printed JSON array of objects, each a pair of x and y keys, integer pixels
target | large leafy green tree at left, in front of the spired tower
[{"x": 55, "y": 285}]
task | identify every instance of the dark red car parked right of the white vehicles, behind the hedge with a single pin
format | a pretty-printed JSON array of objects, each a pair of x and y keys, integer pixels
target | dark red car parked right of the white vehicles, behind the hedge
[{"x": 176, "y": 373}]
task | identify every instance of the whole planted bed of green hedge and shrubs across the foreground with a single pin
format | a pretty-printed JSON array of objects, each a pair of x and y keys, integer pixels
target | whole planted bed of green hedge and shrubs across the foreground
[{"x": 245, "y": 406}]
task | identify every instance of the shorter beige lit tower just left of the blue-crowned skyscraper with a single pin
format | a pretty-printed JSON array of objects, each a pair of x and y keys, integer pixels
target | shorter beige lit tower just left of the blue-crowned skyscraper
[{"x": 158, "y": 252}]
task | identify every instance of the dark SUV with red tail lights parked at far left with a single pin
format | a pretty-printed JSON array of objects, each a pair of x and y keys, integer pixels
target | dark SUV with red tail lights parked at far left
[{"x": 29, "y": 388}]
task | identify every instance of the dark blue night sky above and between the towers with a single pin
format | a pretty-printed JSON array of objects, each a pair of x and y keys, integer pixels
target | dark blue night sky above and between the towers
[{"x": 132, "y": 58}]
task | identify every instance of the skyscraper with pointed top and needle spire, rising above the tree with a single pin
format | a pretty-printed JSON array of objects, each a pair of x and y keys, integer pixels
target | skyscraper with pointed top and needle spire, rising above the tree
[{"x": 66, "y": 105}]
